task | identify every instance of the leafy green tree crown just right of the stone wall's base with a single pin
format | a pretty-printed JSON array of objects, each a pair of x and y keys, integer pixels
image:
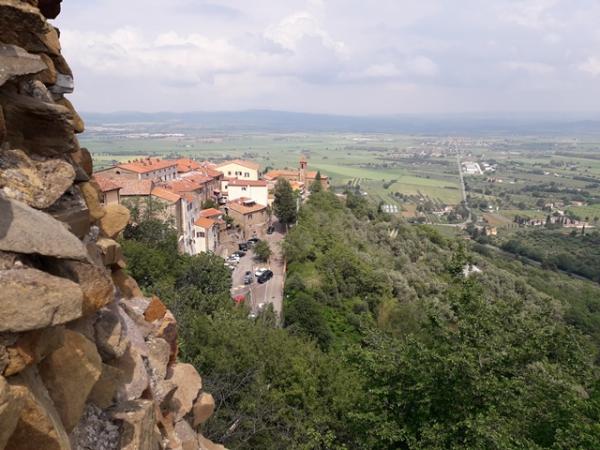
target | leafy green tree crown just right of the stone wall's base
[{"x": 272, "y": 390}]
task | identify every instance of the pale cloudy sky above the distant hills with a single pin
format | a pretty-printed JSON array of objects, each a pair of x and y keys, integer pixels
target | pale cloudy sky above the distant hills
[{"x": 354, "y": 57}]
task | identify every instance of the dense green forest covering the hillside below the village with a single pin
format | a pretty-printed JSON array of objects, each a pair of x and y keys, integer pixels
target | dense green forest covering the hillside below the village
[{"x": 386, "y": 343}]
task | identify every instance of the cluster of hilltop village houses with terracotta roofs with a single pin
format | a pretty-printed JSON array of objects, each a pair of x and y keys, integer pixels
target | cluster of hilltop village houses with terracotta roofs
[{"x": 212, "y": 206}]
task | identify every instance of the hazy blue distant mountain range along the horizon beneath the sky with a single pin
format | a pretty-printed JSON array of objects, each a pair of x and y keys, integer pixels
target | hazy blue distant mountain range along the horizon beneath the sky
[{"x": 283, "y": 121}]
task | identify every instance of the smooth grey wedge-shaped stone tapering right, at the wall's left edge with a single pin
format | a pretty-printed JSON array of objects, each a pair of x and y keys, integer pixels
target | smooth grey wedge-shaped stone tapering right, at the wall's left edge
[{"x": 26, "y": 230}]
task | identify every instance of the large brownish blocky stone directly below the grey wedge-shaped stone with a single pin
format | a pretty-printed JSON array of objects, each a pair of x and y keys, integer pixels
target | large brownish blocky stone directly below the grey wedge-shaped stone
[{"x": 31, "y": 299}]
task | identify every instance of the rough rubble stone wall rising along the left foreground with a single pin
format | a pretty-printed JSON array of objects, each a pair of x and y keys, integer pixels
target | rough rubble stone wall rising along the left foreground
[{"x": 86, "y": 361}]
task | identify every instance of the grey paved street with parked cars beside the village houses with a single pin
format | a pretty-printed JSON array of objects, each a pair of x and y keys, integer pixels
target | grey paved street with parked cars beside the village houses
[{"x": 270, "y": 292}]
